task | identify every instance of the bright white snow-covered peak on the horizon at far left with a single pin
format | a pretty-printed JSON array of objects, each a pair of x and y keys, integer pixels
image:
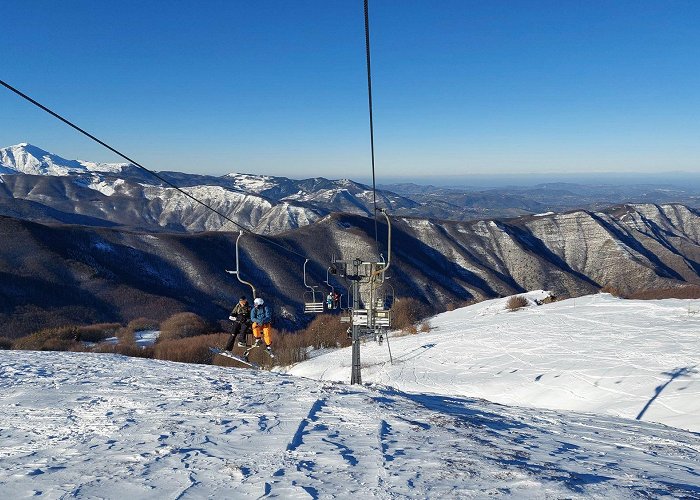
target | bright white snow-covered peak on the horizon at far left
[{"x": 27, "y": 159}]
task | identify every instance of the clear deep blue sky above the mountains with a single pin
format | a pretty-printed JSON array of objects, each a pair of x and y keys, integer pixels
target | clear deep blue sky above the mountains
[{"x": 279, "y": 87}]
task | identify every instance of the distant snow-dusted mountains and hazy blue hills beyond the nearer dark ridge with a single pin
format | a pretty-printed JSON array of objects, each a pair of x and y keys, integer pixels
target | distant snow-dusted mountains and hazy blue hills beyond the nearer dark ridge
[{"x": 43, "y": 187}]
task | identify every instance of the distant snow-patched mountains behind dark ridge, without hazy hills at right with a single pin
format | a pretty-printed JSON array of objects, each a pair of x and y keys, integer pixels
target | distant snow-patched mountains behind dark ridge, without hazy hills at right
[{"x": 121, "y": 194}]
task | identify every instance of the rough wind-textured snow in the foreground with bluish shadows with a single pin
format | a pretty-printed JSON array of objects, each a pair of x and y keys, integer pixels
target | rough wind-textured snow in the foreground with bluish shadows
[{"x": 90, "y": 425}]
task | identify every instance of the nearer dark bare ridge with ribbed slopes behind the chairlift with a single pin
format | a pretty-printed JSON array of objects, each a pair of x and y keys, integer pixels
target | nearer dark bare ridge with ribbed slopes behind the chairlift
[{"x": 53, "y": 274}]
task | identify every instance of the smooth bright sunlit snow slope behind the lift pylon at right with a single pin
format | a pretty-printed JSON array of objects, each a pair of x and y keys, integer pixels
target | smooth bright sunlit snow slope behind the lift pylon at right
[{"x": 628, "y": 358}]
